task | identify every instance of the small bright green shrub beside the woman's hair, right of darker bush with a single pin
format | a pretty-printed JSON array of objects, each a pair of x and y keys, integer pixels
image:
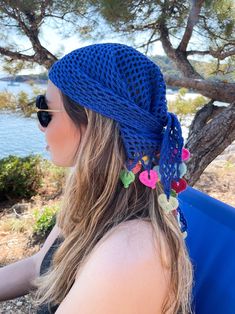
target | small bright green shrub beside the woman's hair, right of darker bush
[{"x": 44, "y": 220}]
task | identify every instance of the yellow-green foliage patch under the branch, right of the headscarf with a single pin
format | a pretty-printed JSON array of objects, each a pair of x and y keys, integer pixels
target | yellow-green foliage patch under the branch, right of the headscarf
[{"x": 182, "y": 106}]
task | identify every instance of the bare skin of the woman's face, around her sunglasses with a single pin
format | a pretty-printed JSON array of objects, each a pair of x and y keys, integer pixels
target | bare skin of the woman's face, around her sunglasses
[{"x": 61, "y": 134}]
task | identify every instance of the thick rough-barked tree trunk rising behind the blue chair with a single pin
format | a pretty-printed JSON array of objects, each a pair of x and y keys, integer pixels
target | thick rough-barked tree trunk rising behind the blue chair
[{"x": 212, "y": 130}]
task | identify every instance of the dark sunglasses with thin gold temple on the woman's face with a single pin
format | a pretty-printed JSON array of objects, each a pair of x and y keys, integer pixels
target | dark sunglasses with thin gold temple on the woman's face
[{"x": 43, "y": 113}]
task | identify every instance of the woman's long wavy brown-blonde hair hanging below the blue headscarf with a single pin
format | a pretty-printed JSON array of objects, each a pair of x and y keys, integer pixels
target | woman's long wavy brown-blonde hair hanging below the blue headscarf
[{"x": 94, "y": 201}]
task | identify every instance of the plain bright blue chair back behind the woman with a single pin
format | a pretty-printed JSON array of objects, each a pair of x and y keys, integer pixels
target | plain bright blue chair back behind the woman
[{"x": 210, "y": 241}]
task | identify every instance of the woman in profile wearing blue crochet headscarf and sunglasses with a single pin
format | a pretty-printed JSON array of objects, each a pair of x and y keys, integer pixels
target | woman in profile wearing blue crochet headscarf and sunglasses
[{"x": 118, "y": 244}]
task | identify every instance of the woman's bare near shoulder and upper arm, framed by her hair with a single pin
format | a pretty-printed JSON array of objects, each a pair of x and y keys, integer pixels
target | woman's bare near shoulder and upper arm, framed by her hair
[{"x": 123, "y": 272}]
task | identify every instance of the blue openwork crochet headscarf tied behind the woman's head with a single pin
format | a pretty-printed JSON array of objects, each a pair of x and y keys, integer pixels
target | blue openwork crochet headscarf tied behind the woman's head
[{"x": 120, "y": 83}]
